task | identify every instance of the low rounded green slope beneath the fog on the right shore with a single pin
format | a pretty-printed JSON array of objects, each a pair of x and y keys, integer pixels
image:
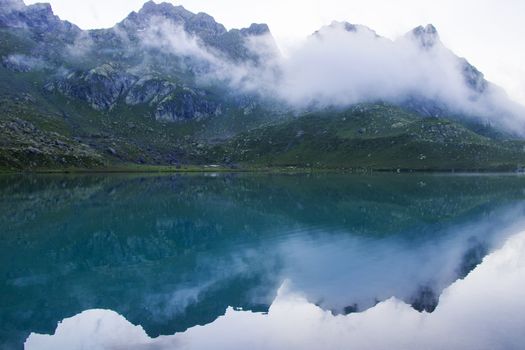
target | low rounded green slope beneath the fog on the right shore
[{"x": 373, "y": 137}]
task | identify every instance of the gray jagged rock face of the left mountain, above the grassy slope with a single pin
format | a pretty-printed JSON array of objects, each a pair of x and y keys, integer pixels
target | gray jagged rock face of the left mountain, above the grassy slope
[{"x": 124, "y": 70}]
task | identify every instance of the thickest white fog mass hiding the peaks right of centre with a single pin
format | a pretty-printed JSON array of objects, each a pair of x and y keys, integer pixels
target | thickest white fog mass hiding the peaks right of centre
[{"x": 339, "y": 67}]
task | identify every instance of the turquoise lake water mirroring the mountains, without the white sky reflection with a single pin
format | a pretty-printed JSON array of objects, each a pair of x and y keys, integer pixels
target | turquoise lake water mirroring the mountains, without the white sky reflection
[{"x": 169, "y": 253}]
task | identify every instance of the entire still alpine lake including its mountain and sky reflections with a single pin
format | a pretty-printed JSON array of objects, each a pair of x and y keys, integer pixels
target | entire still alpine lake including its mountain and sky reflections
[{"x": 262, "y": 261}]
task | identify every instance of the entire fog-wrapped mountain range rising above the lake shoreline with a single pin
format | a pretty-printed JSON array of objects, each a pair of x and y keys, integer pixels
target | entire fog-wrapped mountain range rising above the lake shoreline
[{"x": 166, "y": 86}]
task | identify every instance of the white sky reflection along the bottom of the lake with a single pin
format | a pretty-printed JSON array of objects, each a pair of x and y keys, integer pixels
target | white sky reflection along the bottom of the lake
[{"x": 483, "y": 311}]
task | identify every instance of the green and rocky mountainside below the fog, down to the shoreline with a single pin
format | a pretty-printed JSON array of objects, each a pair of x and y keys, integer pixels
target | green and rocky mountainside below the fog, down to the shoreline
[{"x": 67, "y": 112}]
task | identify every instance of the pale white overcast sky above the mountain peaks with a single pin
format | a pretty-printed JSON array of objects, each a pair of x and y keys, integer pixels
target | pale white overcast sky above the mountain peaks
[{"x": 489, "y": 33}]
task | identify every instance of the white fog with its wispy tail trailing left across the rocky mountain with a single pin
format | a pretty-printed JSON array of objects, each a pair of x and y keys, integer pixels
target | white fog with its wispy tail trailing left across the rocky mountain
[{"x": 343, "y": 64}]
